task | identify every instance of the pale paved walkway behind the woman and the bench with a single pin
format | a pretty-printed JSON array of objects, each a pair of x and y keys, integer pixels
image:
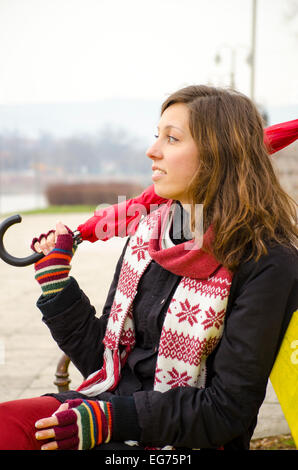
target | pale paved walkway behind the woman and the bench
[{"x": 28, "y": 354}]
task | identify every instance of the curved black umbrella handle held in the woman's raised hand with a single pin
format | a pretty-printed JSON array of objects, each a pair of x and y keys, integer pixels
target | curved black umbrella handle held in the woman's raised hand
[{"x": 31, "y": 259}]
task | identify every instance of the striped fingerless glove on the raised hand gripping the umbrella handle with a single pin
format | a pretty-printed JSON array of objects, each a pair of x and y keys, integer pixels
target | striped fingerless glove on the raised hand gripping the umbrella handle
[{"x": 52, "y": 271}]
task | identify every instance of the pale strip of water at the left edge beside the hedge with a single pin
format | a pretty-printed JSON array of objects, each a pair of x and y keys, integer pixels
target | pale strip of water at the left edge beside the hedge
[{"x": 21, "y": 202}]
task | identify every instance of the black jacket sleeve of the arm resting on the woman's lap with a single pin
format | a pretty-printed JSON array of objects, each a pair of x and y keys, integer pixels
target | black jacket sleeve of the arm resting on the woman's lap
[{"x": 259, "y": 310}]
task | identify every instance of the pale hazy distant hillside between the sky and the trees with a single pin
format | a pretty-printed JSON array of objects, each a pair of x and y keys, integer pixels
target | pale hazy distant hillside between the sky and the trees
[{"x": 137, "y": 117}]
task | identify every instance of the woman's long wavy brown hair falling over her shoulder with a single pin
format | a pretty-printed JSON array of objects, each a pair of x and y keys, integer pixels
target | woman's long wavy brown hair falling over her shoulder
[{"x": 236, "y": 183}]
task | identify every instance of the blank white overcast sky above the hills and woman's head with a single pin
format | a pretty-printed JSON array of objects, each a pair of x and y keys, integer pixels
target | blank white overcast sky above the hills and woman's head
[{"x": 87, "y": 50}]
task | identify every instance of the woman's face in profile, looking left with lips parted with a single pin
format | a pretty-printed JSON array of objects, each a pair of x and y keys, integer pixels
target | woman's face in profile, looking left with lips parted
[{"x": 174, "y": 154}]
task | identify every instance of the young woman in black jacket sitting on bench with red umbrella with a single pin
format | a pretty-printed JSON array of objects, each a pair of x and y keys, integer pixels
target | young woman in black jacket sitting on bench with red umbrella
[{"x": 197, "y": 309}]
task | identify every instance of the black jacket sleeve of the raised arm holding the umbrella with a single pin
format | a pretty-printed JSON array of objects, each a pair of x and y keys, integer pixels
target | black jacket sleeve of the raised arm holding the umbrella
[{"x": 74, "y": 325}]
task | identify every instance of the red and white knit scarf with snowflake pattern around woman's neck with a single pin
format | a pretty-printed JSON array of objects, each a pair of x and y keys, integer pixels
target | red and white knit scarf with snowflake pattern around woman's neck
[{"x": 193, "y": 323}]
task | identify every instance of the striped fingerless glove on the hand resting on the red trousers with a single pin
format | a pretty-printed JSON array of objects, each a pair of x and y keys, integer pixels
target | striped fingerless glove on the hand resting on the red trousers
[{"x": 84, "y": 425}]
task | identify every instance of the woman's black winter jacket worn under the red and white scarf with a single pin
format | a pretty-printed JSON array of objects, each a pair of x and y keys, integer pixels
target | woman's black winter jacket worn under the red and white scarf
[{"x": 262, "y": 298}]
